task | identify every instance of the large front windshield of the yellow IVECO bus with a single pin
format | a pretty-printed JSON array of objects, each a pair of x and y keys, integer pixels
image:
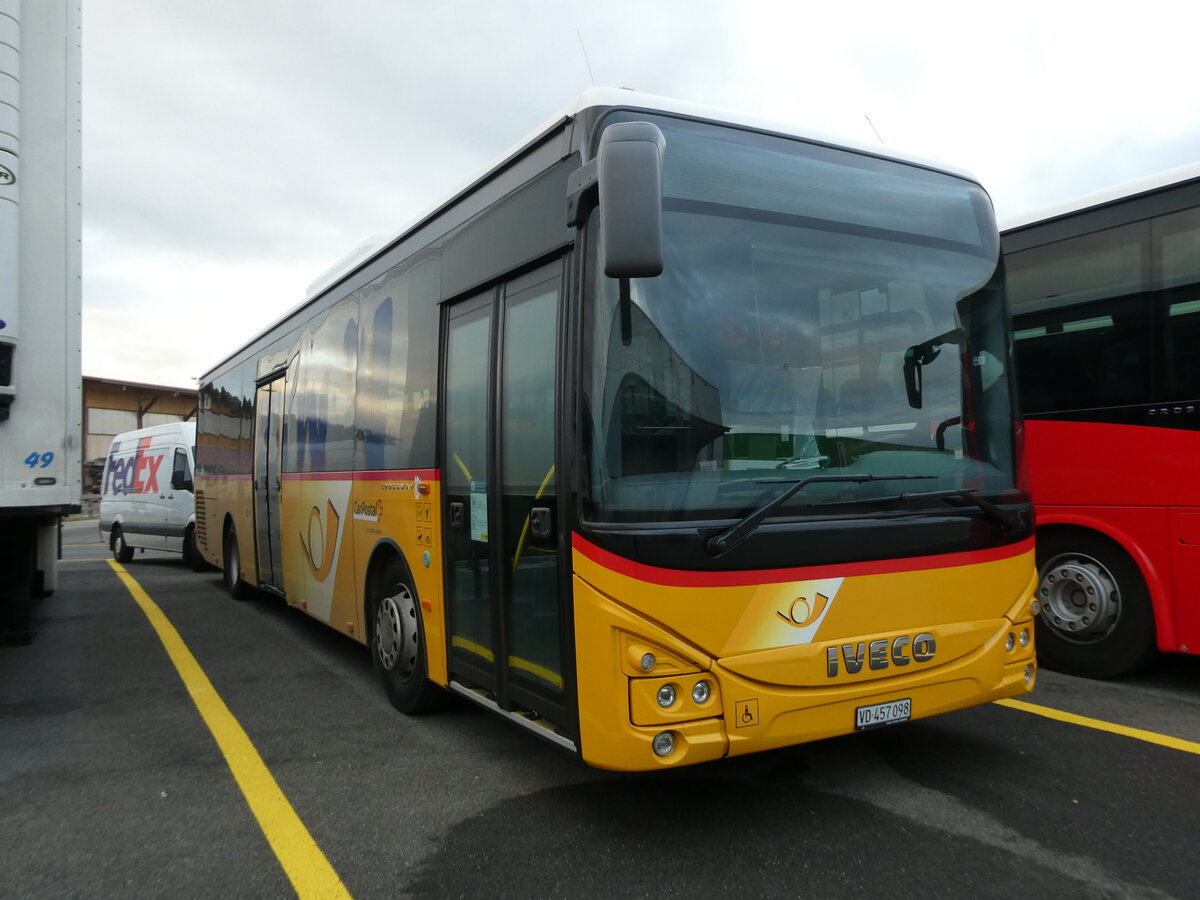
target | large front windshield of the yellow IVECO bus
[{"x": 820, "y": 313}]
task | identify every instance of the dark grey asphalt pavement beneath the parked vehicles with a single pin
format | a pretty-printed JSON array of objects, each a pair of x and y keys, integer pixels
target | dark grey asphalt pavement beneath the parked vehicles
[{"x": 113, "y": 785}]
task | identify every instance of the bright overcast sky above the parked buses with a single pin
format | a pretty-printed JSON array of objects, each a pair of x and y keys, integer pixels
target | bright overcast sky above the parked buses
[{"x": 236, "y": 149}]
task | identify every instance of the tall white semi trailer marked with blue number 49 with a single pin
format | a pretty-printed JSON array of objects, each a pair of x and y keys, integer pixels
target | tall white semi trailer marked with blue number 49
[{"x": 40, "y": 298}]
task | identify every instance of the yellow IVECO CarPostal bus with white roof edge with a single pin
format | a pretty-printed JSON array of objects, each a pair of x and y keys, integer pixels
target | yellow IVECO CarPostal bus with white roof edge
[{"x": 675, "y": 436}]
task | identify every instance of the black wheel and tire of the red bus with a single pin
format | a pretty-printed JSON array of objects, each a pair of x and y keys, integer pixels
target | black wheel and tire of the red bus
[{"x": 1096, "y": 617}]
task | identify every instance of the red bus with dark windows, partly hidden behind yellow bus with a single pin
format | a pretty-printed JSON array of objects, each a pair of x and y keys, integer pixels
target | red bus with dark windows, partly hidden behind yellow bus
[{"x": 1106, "y": 302}]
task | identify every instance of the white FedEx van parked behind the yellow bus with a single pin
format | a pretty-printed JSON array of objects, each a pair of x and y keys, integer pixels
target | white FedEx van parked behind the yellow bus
[{"x": 147, "y": 497}]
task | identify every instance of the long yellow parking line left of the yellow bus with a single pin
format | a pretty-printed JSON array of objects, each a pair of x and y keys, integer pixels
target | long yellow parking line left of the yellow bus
[{"x": 303, "y": 861}]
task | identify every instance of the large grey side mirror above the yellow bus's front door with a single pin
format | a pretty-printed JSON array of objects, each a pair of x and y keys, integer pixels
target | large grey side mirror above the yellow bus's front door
[{"x": 631, "y": 176}]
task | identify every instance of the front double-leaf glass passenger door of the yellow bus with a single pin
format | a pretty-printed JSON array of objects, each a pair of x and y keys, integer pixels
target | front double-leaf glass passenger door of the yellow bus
[{"x": 503, "y": 544}]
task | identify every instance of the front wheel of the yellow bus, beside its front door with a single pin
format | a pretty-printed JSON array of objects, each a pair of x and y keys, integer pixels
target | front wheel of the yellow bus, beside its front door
[{"x": 398, "y": 641}]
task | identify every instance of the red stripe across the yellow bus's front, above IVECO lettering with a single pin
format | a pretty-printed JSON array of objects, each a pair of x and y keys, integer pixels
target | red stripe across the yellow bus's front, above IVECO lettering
[{"x": 688, "y": 579}]
